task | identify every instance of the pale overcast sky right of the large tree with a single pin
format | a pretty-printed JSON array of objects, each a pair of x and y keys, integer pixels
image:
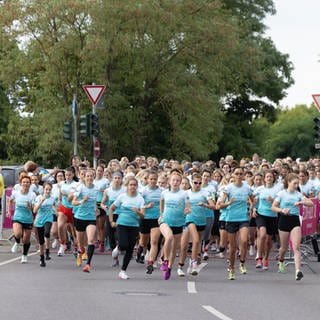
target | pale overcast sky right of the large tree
[{"x": 295, "y": 30}]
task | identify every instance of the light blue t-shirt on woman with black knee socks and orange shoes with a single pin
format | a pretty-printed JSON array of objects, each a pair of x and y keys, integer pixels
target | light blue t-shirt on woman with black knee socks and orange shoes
[{"x": 86, "y": 210}]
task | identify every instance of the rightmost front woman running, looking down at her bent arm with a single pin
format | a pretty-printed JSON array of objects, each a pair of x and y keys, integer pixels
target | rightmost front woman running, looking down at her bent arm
[{"x": 287, "y": 203}]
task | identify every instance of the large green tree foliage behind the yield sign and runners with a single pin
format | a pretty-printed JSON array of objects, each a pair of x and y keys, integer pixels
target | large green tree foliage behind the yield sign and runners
[{"x": 167, "y": 66}]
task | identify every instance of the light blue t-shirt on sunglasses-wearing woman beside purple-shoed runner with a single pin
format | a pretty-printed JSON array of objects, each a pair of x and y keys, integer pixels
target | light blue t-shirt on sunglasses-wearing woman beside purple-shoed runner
[{"x": 198, "y": 214}]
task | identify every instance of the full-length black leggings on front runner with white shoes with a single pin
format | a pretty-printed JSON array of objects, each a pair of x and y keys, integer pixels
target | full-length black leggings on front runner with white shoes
[{"x": 127, "y": 237}]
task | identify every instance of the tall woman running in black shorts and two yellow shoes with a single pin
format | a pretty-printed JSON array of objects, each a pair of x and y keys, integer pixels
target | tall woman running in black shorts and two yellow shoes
[{"x": 236, "y": 196}]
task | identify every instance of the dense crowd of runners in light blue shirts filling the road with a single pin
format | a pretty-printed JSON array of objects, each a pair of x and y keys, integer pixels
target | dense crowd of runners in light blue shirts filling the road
[{"x": 165, "y": 209}]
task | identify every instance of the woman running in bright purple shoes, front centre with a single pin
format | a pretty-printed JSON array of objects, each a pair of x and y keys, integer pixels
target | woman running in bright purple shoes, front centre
[{"x": 174, "y": 205}]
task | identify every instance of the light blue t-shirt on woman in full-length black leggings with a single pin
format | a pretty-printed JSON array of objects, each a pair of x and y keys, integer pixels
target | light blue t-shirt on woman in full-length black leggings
[{"x": 125, "y": 203}]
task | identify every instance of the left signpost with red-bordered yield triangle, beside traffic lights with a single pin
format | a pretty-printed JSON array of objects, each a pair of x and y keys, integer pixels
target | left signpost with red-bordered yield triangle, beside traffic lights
[{"x": 94, "y": 93}]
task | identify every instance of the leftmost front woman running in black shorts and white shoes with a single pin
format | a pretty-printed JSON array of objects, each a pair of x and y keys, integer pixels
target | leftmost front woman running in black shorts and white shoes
[{"x": 23, "y": 199}]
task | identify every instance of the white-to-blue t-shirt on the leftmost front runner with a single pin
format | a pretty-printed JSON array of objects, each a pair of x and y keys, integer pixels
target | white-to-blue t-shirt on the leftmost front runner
[{"x": 22, "y": 213}]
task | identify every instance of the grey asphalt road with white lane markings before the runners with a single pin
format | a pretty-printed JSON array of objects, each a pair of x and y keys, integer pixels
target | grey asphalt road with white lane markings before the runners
[{"x": 62, "y": 291}]
